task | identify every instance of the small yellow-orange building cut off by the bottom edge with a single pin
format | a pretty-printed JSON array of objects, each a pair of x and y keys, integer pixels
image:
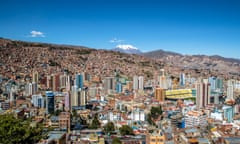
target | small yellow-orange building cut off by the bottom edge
[{"x": 157, "y": 137}]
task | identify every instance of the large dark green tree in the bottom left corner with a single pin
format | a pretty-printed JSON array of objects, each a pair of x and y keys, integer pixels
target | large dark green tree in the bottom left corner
[{"x": 16, "y": 131}]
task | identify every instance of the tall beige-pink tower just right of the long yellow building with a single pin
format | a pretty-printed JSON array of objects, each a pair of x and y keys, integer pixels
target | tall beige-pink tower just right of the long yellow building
[{"x": 202, "y": 93}]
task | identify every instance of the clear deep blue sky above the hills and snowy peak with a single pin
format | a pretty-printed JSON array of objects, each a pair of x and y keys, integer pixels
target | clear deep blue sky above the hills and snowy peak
[{"x": 186, "y": 26}]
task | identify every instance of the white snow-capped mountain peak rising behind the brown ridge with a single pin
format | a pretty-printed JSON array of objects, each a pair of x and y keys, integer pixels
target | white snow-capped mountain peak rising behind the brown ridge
[{"x": 129, "y": 49}]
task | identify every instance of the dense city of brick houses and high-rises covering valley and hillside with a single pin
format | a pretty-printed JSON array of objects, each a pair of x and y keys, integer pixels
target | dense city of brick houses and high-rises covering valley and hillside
[{"x": 59, "y": 95}]
